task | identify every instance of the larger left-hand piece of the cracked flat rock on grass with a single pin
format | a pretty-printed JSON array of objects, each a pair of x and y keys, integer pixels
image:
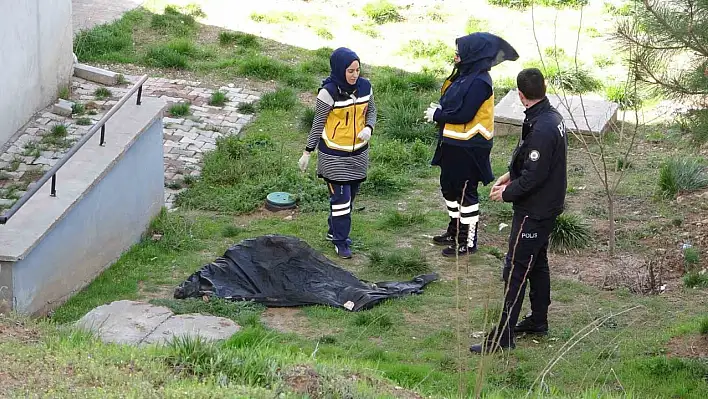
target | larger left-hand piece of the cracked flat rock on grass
[{"x": 124, "y": 322}]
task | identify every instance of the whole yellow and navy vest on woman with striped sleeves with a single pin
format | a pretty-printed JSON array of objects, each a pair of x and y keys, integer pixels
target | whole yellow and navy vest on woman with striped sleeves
[{"x": 346, "y": 119}]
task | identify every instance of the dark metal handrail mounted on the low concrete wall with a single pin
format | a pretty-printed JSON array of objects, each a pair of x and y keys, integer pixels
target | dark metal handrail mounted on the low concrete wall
[{"x": 52, "y": 173}]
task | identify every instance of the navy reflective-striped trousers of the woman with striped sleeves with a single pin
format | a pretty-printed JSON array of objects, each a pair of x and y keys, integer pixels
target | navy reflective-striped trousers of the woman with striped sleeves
[{"x": 341, "y": 203}]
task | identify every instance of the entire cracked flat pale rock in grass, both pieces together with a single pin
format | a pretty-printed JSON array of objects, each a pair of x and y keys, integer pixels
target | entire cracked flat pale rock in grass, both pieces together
[{"x": 138, "y": 323}]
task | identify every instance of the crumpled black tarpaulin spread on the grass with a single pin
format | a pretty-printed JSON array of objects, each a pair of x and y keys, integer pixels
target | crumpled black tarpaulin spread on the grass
[{"x": 282, "y": 271}]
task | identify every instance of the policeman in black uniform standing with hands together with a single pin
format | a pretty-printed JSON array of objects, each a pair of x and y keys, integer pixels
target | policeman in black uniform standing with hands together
[{"x": 536, "y": 185}]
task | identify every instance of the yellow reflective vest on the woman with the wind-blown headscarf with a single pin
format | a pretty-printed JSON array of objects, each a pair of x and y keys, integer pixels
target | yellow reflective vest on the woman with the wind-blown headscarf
[{"x": 479, "y": 131}]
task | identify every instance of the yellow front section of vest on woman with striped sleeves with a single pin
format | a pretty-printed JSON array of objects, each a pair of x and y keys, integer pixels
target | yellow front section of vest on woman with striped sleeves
[{"x": 346, "y": 119}]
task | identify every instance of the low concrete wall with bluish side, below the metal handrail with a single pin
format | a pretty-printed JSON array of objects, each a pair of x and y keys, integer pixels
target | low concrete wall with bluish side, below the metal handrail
[{"x": 106, "y": 197}]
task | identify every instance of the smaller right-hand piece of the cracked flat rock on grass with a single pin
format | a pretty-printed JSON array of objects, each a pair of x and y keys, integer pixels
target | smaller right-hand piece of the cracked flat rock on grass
[{"x": 193, "y": 325}]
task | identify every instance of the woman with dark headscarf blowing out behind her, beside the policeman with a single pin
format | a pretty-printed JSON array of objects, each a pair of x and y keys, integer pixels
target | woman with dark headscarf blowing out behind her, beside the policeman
[{"x": 465, "y": 117}]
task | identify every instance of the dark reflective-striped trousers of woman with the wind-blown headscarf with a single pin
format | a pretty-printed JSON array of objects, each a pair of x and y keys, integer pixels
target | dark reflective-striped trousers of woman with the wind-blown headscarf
[{"x": 462, "y": 203}]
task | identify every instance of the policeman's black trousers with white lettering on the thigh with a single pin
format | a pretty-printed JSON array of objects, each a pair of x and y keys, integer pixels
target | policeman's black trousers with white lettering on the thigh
[{"x": 527, "y": 260}]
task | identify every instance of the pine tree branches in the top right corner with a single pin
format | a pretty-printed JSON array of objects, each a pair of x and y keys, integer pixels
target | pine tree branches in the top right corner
[{"x": 668, "y": 45}]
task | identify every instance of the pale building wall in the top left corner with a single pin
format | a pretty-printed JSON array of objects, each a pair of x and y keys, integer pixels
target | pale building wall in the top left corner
[{"x": 36, "y": 58}]
